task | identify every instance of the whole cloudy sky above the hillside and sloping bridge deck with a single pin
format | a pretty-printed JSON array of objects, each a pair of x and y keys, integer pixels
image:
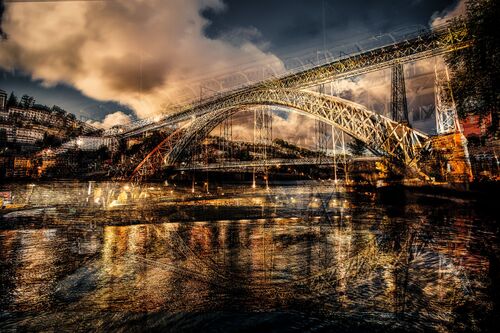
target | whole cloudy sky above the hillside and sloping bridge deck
[{"x": 115, "y": 60}]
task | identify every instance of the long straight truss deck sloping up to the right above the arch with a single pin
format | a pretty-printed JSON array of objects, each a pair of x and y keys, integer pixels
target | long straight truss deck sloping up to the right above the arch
[{"x": 429, "y": 43}]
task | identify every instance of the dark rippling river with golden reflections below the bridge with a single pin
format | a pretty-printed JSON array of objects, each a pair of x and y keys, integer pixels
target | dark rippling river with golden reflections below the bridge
[{"x": 300, "y": 257}]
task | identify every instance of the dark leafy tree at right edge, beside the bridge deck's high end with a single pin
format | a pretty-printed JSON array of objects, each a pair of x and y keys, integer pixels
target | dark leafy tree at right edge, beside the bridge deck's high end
[{"x": 476, "y": 70}]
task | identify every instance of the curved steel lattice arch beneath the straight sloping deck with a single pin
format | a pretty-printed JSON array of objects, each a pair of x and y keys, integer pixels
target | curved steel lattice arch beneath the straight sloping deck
[{"x": 382, "y": 135}]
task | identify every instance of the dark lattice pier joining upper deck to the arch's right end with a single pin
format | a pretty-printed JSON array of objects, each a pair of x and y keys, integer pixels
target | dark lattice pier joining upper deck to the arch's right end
[{"x": 399, "y": 105}]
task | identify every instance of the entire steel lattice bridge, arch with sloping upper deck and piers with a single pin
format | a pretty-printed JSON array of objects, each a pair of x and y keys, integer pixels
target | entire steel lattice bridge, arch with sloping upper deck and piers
[{"x": 296, "y": 91}]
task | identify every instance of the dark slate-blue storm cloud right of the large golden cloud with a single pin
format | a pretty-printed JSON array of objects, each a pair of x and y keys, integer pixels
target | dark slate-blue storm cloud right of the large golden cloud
[{"x": 290, "y": 25}]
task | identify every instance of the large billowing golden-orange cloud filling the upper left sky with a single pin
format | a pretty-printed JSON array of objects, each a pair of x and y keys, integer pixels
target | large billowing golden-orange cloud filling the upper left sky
[{"x": 145, "y": 54}]
